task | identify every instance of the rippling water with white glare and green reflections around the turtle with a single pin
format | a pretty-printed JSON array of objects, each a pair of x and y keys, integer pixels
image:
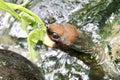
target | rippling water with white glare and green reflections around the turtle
[{"x": 96, "y": 18}]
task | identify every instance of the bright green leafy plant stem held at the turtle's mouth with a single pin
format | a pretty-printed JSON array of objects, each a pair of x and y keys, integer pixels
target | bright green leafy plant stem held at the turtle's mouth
[{"x": 26, "y": 18}]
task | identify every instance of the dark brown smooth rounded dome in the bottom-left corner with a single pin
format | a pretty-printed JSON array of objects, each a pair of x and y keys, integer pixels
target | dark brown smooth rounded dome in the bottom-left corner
[{"x": 15, "y": 67}]
